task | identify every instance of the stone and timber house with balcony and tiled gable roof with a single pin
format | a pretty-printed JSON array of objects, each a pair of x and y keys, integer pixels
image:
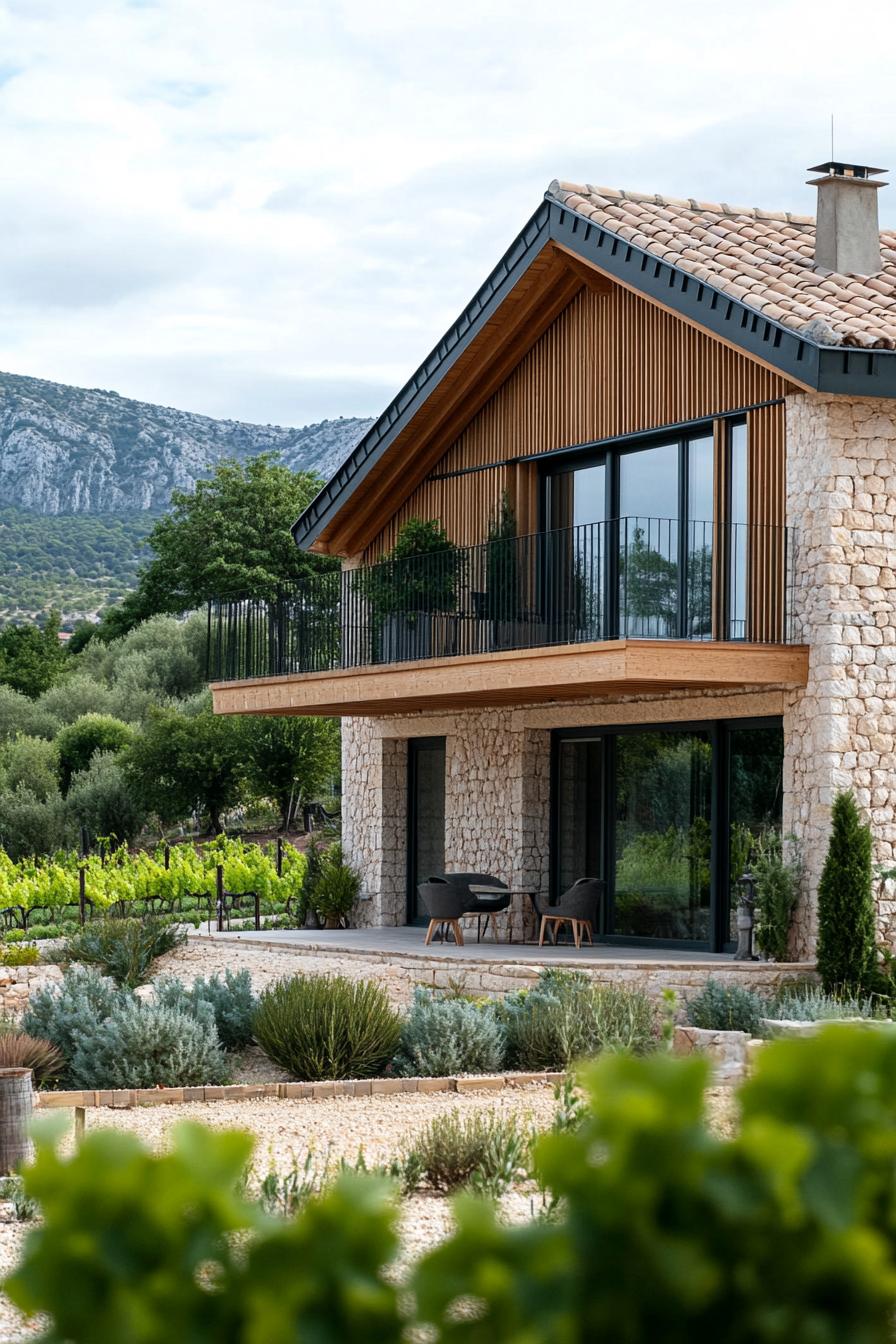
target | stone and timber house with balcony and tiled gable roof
[{"x": 645, "y": 493}]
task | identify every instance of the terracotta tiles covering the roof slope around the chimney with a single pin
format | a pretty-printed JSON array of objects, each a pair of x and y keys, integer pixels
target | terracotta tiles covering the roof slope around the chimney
[{"x": 762, "y": 257}]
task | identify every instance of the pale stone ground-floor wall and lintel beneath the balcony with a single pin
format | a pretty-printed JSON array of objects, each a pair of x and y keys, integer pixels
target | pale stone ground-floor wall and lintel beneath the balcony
[{"x": 498, "y": 787}]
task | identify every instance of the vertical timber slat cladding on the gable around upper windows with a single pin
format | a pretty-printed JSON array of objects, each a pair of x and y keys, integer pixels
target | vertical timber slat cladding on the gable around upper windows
[{"x": 612, "y": 364}]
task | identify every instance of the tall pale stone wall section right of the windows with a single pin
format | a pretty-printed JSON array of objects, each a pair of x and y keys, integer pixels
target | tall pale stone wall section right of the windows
[{"x": 842, "y": 730}]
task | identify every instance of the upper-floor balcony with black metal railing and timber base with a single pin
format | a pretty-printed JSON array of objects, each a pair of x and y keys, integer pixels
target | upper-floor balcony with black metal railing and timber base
[{"x": 631, "y": 604}]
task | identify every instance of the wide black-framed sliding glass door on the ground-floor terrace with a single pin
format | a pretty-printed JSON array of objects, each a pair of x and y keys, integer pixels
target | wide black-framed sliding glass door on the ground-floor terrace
[{"x": 668, "y": 818}]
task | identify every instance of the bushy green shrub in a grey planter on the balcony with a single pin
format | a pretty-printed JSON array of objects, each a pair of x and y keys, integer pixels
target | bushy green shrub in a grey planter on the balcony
[{"x": 417, "y": 581}]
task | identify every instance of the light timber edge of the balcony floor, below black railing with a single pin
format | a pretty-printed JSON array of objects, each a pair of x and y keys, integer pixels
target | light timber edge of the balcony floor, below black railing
[{"x": 530, "y": 677}]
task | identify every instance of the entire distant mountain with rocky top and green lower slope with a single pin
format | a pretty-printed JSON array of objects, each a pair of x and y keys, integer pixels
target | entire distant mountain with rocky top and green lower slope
[{"x": 85, "y": 472}]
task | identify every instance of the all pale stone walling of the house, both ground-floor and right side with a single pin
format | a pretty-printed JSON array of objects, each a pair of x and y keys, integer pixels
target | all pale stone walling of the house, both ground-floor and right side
[{"x": 839, "y": 733}]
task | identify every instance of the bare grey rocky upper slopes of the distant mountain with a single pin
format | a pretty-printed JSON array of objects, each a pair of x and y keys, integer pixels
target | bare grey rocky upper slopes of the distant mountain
[{"x": 84, "y": 451}]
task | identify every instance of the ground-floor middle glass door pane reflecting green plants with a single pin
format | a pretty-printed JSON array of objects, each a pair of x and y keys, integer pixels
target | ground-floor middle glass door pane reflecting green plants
[{"x": 663, "y": 835}]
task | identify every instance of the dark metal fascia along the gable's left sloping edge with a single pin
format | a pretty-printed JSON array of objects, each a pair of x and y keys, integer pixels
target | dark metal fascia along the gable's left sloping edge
[{"x": 484, "y": 304}]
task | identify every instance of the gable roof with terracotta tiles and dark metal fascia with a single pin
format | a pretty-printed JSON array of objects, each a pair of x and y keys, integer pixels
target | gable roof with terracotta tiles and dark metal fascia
[{"x": 742, "y": 275}]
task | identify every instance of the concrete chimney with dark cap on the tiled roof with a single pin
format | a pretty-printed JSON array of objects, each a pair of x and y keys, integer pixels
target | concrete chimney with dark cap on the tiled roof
[{"x": 847, "y": 229}]
